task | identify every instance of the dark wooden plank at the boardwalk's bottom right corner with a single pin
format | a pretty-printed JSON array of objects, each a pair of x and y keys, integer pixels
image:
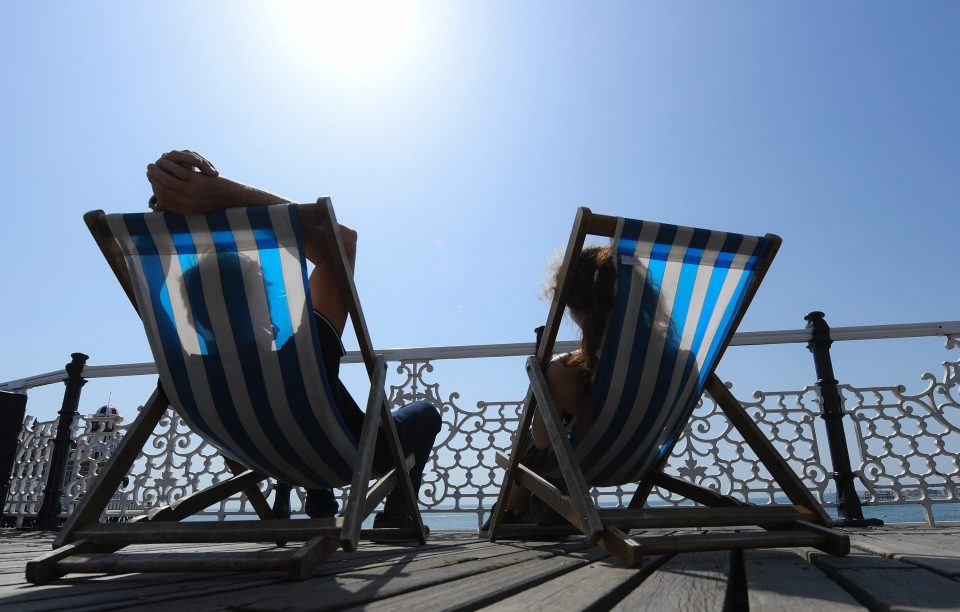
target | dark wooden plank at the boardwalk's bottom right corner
[{"x": 887, "y": 584}]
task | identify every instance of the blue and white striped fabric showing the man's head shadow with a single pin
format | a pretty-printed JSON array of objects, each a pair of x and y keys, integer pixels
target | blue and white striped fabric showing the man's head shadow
[{"x": 225, "y": 304}]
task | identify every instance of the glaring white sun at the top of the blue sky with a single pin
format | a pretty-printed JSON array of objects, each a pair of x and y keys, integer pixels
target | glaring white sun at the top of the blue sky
[{"x": 358, "y": 43}]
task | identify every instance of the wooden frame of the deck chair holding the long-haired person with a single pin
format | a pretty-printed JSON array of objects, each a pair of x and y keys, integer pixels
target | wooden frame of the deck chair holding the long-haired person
[{"x": 802, "y": 523}]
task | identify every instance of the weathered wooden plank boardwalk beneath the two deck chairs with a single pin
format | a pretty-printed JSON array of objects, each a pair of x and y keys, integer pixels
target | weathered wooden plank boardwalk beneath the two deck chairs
[{"x": 889, "y": 568}]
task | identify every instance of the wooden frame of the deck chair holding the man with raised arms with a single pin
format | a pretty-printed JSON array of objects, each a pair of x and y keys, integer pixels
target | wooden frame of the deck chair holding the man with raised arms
[{"x": 84, "y": 545}]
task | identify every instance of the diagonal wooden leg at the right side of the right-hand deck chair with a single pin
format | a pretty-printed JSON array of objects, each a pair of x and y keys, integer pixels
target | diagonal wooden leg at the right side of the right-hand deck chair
[{"x": 765, "y": 451}]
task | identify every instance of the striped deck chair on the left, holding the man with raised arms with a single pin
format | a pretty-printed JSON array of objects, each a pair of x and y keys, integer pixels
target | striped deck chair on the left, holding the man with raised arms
[{"x": 225, "y": 303}]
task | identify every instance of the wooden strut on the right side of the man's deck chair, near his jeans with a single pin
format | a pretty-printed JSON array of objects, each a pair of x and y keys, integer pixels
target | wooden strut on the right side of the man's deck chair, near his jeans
[{"x": 356, "y": 510}]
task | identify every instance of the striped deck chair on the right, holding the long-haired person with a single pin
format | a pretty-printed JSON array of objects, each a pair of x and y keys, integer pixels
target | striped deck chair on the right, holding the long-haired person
[{"x": 681, "y": 293}]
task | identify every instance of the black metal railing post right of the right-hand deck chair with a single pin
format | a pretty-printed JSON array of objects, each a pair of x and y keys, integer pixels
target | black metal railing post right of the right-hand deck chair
[{"x": 849, "y": 511}]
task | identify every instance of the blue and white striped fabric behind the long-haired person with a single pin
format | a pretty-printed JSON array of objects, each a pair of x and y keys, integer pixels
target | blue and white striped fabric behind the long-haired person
[{"x": 679, "y": 291}]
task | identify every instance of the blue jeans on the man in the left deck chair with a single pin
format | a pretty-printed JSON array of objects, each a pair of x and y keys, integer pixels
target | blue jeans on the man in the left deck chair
[{"x": 417, "y": 427}]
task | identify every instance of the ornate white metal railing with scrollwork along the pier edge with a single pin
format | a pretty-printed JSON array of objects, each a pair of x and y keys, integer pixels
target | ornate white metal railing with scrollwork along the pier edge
[{"x": 904, "y": 447}]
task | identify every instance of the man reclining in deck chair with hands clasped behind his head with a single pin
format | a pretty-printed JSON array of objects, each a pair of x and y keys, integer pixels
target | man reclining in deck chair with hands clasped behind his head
[{"x": 187, "y": 183}]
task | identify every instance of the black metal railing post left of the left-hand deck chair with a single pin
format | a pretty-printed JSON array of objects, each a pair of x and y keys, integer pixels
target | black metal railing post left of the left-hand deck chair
[{"x": 48, "y": 515}]
